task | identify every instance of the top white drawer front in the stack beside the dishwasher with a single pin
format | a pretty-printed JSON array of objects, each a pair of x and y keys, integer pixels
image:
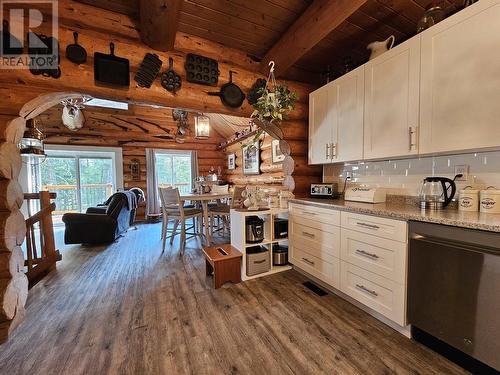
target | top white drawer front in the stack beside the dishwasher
[{"x": 378, "y": 226}]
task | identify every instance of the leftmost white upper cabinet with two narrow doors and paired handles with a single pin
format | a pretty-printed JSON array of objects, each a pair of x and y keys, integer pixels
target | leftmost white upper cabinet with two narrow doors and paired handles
[{"x": 336, "y": 132}]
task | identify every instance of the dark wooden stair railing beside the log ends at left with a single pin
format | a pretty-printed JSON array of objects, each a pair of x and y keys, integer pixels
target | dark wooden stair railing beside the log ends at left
[{"x": 42, "y": 258}]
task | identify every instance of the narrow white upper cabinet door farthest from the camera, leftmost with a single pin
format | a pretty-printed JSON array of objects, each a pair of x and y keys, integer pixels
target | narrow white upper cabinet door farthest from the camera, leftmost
[{"x": 320, "y": 127}]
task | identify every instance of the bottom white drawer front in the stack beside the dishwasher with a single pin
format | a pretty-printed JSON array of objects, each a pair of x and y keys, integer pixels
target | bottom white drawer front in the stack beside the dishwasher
[{"x": 378, "y": 293}]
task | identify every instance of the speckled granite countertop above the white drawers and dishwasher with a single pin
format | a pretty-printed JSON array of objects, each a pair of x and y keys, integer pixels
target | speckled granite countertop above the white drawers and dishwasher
[{"x": 403, "y": 211}]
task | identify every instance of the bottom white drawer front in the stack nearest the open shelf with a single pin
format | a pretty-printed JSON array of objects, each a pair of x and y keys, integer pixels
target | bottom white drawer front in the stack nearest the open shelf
[{"x": 328, "y": 272}]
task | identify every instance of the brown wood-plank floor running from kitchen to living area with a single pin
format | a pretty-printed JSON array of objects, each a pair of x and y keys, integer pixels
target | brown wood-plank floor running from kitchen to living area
[{"x": 127, "y": 309}]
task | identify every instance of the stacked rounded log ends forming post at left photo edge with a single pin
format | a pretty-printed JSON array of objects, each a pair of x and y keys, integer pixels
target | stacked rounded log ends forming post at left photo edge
[{"x": 13, "y": 281}]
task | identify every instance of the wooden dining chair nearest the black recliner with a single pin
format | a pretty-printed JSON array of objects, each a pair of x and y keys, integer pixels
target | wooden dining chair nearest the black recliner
[{"x": 173, "y": 209}]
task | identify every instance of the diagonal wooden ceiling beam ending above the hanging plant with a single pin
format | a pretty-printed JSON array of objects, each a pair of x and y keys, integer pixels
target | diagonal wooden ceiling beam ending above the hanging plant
[{"x": 319, "y": 20}]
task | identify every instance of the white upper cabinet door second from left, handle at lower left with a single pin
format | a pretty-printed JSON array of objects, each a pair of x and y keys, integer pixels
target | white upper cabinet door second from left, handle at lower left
[{"x": 347, "y": 143}]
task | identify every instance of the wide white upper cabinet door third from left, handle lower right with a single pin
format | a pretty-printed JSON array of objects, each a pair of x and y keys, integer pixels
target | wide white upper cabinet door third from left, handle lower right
[{"x": 392, "y": 102}]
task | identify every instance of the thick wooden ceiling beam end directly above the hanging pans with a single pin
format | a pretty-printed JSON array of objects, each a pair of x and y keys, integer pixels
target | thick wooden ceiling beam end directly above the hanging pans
[{"x": 159, "y": 21}]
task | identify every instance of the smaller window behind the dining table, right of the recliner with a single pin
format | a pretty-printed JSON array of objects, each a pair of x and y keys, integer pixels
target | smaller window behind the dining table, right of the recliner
[{"x": 174, "y": 169}]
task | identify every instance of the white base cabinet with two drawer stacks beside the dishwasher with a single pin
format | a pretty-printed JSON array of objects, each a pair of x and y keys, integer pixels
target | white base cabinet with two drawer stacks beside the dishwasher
[{"x": 363, "y": 256}]
